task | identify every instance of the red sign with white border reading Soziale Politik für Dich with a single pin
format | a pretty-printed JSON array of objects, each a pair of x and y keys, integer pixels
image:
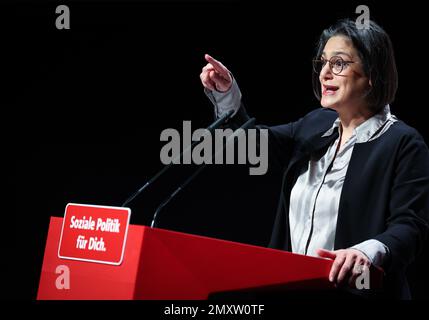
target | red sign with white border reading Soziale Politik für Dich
[{"x": 94, "y": 233}]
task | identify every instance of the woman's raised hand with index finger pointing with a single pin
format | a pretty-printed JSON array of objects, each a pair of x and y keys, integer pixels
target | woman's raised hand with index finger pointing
[{"x": 215, "y": 76}]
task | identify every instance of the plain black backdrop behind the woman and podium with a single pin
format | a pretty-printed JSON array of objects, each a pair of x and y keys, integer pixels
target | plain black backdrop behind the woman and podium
[{"x": 83, "y": 109}]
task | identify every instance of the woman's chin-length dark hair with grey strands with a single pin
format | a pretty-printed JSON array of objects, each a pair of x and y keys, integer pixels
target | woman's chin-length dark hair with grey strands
[{"x": 376, "y": 52}]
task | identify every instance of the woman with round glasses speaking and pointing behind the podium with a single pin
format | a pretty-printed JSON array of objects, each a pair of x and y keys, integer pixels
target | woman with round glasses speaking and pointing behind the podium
[{"x": 355, "y": 178}]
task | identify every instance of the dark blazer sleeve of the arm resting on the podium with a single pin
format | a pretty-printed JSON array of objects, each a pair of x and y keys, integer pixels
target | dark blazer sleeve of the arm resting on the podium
[{"x": 407, "y": 223}]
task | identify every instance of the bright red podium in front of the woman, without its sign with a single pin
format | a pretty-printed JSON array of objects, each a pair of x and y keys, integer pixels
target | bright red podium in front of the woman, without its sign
[{"x": 167, "y": 265}]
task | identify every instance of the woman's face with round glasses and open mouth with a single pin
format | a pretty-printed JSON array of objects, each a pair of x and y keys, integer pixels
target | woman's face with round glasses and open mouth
[{"x": 348, "y": 88}]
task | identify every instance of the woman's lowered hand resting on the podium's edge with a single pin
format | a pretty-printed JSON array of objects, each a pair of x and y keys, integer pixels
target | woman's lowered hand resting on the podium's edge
[{"x": 348, "y": 265}]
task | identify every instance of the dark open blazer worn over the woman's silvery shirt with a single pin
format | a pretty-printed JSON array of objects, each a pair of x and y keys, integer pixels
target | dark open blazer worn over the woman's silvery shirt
[{"x": 385, "y": 195}]
